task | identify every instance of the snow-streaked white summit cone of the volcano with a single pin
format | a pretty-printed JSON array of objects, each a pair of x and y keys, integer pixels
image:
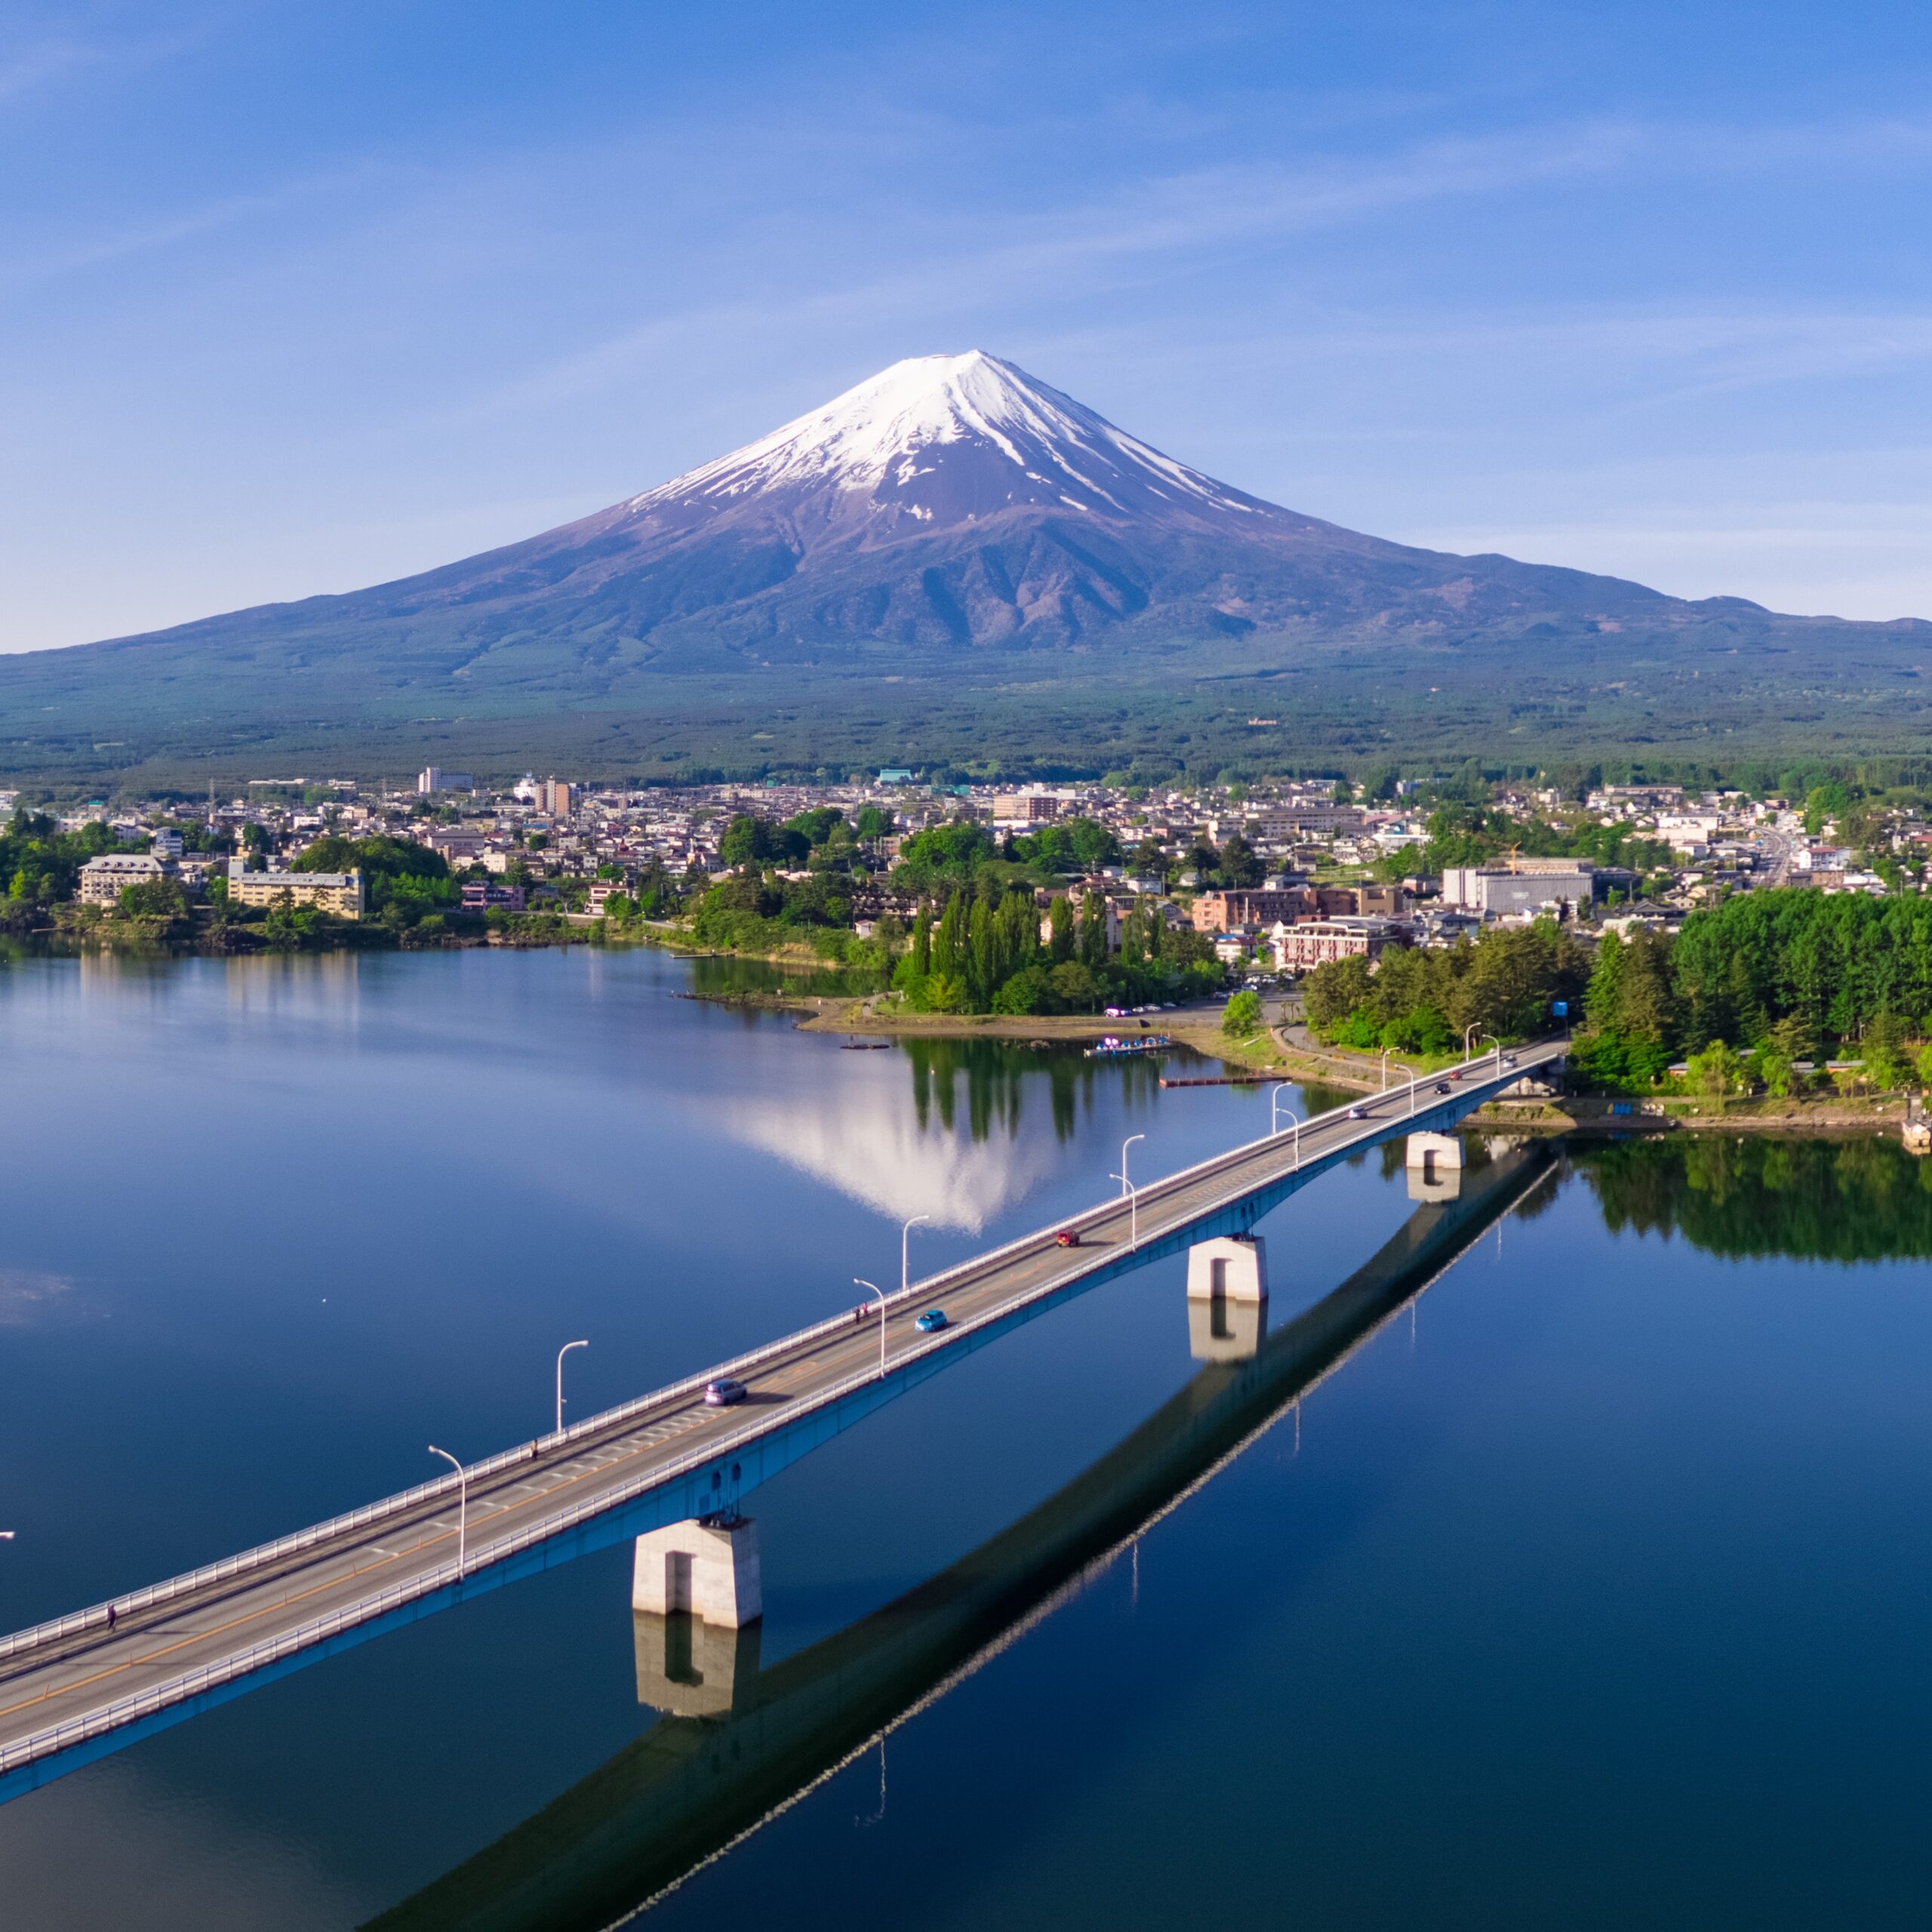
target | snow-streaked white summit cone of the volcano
[{"x": 946, "y": 440}]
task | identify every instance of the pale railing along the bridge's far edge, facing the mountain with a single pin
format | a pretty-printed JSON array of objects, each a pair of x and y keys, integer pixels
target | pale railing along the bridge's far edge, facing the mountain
[{"x": 441, "y": 1487}]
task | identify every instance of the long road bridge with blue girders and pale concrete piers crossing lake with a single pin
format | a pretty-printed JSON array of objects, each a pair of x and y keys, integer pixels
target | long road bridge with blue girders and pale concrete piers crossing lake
[{"x": 662, "y": 1467}]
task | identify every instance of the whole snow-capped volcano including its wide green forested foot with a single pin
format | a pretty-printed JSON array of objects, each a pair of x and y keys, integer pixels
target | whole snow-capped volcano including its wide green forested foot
[{"x": 1042, "y": 584}]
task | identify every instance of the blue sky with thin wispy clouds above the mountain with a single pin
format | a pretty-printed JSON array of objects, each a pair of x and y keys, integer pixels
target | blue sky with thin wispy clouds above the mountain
[{"x": 297, "y": 298}]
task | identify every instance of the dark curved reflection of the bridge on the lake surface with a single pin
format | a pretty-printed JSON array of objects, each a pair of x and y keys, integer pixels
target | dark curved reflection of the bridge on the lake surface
[{"x": 739, "y": 1742}]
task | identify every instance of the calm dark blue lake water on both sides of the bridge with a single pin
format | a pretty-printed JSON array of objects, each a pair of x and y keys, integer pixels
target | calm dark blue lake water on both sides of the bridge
[{"x": 1593, "y": 1589}]
